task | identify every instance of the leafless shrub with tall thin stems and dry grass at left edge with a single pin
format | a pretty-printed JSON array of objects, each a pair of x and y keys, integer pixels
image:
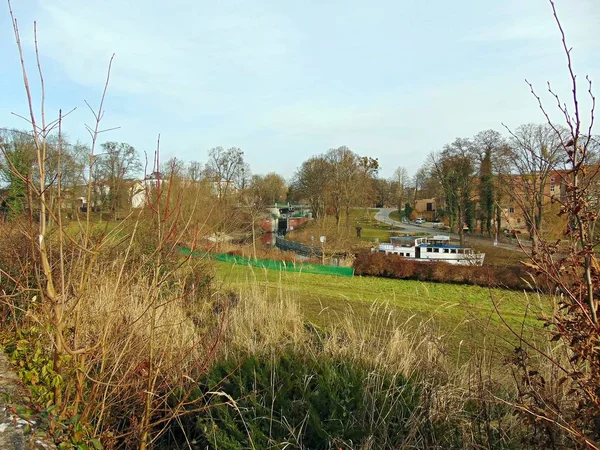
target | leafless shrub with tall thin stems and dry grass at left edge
[{"x": 122, "y": 334}]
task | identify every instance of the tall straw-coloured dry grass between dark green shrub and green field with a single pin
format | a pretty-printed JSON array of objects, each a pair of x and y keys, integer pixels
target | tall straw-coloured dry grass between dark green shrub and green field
[{"x": 463, "y": 396}]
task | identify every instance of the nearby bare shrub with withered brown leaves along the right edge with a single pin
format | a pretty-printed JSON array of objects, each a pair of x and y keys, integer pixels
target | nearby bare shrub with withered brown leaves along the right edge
[{"x": 571, "y": 265}]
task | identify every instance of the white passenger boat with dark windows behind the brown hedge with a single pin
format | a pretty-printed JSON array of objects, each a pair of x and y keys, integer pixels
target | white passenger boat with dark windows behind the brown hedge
[{"x": 436, "y": 248}]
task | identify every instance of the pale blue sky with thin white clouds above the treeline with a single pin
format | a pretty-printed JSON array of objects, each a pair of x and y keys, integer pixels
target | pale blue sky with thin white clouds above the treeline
[{"x": 288, "y": 79}]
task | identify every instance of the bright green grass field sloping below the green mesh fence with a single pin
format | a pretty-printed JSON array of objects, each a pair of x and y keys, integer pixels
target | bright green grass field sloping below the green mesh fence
[{"x": 463, "y": 314}]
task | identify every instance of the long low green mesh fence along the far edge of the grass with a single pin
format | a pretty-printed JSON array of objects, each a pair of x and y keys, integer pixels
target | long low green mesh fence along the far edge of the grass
[{"x": 271, "y": 264}]
